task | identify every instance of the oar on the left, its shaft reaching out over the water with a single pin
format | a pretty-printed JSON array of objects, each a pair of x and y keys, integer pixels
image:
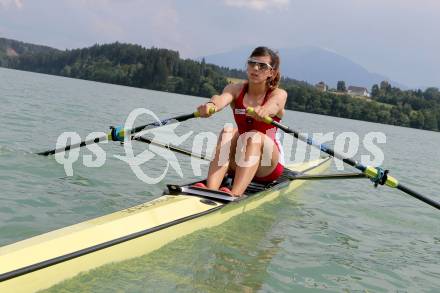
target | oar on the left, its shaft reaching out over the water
[{"x": 119, "y": 135}]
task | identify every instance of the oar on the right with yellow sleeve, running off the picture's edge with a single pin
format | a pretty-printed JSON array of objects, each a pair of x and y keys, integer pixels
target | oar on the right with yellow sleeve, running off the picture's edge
[{"x": 377, "y": 175}]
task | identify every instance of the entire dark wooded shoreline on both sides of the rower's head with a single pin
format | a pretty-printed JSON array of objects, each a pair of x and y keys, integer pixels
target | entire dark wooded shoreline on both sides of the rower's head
[{"x": 165, "y": 70}]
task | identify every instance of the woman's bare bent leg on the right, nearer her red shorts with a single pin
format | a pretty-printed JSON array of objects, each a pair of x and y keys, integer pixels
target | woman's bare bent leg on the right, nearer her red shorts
[{"x": 256, "y": 155}]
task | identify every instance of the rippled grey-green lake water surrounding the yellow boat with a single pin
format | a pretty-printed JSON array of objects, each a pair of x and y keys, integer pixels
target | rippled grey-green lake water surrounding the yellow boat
[{"x": 329, "y": 235}]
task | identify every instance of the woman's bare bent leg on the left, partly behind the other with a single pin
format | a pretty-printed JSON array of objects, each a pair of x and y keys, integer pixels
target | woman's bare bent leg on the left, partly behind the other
[{"x": 224, "y": 157}]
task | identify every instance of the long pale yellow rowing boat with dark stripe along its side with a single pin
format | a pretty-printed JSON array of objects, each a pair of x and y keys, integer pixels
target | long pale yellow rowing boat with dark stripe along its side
[{"x": 45, "y": 260}]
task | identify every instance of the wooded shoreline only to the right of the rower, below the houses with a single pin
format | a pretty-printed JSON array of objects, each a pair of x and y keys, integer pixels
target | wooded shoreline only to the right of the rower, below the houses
[{"x": 415, "y": 109}]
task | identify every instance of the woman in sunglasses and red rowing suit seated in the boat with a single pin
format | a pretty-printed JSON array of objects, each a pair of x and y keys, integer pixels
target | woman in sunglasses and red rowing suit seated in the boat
[{"x": 252, "y": 150}]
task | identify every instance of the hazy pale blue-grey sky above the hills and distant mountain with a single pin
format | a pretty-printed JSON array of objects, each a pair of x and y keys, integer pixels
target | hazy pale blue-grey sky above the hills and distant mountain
[{"x": 396, "y": 38}]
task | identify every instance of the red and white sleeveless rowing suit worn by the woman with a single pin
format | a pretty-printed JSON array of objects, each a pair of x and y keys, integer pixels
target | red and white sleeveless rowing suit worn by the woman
[{"x": 246, "y": 124}]
